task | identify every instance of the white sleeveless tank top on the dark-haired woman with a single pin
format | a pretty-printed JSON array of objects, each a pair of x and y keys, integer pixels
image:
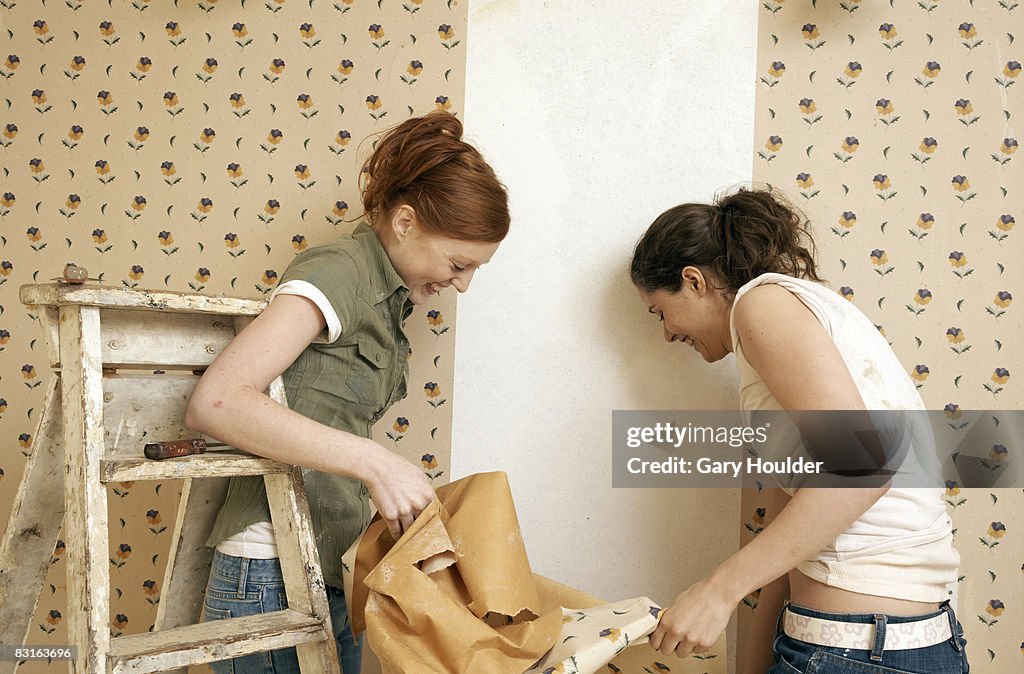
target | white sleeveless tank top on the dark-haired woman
[{"x": 903, "y": 546}]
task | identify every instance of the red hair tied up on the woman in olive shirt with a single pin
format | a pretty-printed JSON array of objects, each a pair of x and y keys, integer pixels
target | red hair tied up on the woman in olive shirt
[{"x": 424, "y": 163}]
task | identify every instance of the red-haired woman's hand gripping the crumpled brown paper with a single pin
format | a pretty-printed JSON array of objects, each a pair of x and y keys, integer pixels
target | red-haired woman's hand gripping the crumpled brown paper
[{"x": 400, "y": 490}]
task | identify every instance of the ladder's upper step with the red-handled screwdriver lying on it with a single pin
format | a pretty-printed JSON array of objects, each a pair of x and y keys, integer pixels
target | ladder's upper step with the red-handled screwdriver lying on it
[{"x": 218, "y": 465}]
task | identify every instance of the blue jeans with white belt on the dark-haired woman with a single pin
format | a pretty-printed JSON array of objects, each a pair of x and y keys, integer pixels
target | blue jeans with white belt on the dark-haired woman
[{"x": 793, "y": 657}]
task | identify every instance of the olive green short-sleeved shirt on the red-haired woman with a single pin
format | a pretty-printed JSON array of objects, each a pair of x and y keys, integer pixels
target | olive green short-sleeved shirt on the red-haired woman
[{"x": 347, "y": 385}]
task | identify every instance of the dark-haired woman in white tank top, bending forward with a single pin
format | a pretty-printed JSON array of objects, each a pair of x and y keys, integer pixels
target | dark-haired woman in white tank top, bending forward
[{"x": 852, "y": 580}]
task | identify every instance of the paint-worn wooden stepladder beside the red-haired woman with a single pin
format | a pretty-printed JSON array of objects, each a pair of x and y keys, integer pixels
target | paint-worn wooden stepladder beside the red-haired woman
[{"x": 125, "y": 364}]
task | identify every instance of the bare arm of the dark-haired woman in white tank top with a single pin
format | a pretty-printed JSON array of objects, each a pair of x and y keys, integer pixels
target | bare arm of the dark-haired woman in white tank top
[{"x": 802, "y": 368}]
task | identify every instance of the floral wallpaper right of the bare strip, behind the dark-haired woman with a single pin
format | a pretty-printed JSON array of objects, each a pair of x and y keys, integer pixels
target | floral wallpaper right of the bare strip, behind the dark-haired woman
[{"x": 894, "y": 127}]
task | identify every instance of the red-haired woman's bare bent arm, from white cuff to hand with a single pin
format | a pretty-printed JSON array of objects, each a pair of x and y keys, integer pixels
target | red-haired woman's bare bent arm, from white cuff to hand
[{"x": 230, "y": 404}]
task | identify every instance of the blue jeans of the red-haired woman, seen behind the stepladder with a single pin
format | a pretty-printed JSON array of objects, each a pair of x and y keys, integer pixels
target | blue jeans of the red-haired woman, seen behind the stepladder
[{"x": 240, "y": 586}]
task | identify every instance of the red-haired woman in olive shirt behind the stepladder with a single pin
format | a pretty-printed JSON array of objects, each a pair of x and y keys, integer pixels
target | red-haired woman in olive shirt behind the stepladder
[{"x": 436, "y": 215}]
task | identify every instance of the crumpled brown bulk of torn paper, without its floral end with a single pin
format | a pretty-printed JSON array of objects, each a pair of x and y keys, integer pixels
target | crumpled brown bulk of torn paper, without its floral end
[{"x": 456, "y": 594}]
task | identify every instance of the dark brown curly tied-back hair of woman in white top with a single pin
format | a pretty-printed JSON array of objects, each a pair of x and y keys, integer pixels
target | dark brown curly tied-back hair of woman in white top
[{"x": 738, "y": 238}]
